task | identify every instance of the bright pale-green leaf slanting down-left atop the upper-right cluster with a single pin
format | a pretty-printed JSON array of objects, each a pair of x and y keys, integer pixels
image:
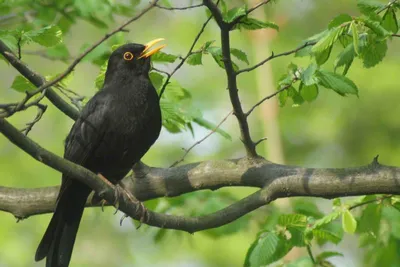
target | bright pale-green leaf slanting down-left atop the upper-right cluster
[{"x": 322, "y": 49}]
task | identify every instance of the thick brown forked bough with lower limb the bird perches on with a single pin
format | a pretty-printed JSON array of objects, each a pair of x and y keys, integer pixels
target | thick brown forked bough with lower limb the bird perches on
[{"x": 274, "y": 180}]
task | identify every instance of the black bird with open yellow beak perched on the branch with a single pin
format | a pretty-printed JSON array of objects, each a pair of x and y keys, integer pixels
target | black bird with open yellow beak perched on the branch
[{"x": 115, "y": 129}]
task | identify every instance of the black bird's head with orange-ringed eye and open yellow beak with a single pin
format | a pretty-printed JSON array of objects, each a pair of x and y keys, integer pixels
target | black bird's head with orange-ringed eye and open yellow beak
[{"x": 131, "y": 60}]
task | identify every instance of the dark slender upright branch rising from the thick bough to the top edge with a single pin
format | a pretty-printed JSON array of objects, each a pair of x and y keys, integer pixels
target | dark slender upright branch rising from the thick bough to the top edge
[{"x": 231, "y": 79}]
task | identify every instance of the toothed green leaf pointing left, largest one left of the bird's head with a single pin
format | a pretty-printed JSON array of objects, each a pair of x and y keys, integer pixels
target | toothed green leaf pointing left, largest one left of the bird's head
[{"x": 48, "y": 36}]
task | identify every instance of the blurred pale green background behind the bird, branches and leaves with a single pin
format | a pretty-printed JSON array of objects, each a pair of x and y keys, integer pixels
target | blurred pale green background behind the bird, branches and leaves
[{"x": 333, "y": 131}]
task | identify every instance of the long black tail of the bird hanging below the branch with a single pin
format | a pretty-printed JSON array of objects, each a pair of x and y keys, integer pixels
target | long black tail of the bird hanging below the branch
[{"x": 59, "y": 238}]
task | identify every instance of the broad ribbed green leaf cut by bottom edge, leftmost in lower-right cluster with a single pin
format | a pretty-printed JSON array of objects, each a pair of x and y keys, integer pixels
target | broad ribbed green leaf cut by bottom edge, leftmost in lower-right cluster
[{"x": 268, "y": 248}]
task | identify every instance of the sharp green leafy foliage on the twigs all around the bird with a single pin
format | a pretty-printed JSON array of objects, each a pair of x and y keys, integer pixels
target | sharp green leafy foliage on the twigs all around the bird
[{"x": 374, "y": 219}]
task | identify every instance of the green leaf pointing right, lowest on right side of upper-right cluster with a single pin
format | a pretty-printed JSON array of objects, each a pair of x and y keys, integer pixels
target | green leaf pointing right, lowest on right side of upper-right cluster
[{"x": 340, "y": 84}]
